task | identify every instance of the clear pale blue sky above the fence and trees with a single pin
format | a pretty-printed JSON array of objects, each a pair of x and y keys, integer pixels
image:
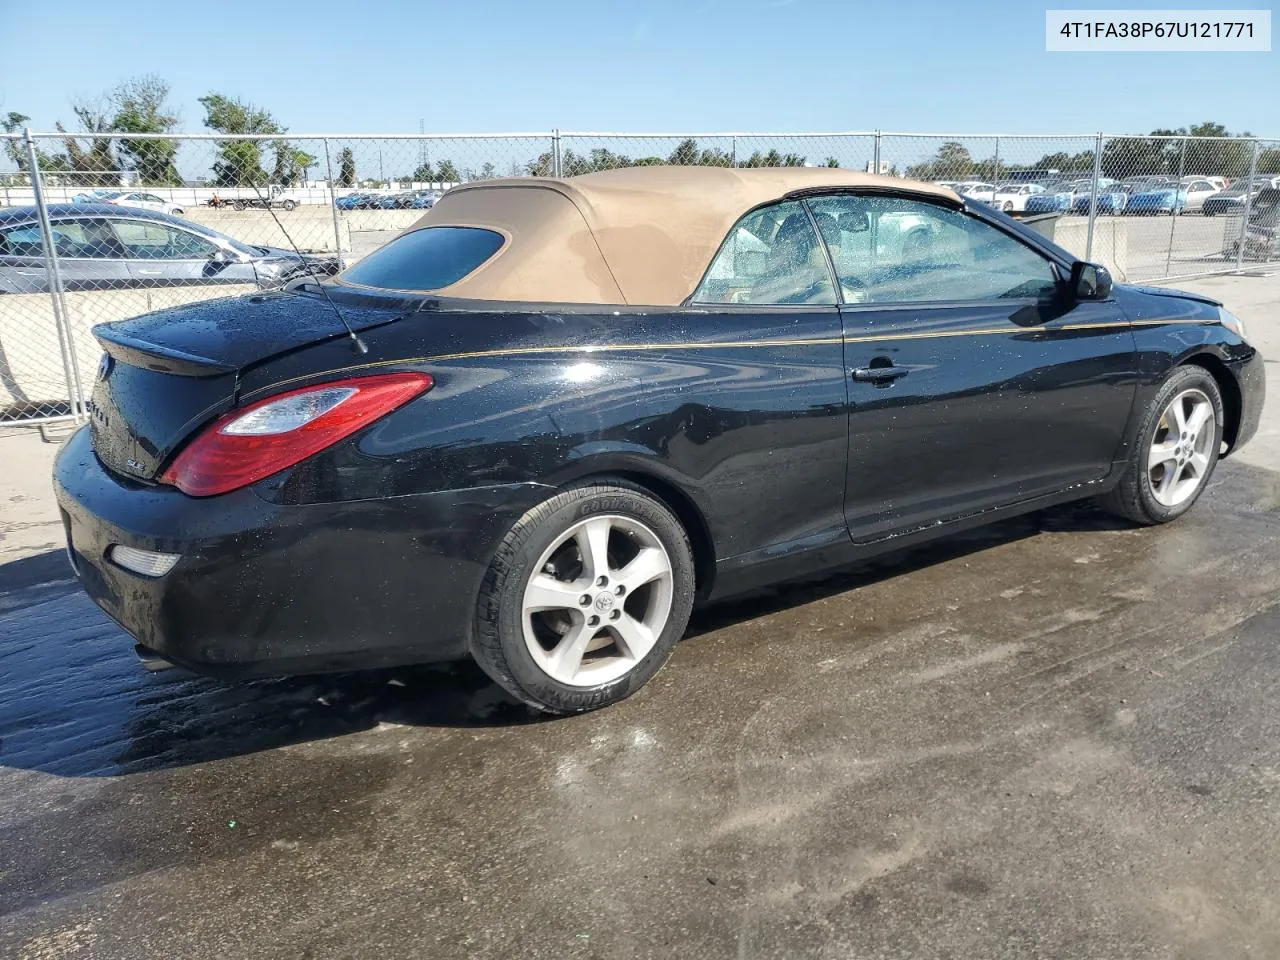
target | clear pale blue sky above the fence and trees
[{"x": 377, "y": 67}]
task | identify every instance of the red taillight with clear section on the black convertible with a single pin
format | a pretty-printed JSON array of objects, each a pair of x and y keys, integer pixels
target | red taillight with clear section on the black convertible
[{"x": 249, "y": 445}]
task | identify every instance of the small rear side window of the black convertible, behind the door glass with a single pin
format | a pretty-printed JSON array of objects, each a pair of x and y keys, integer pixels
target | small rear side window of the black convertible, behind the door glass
[{"x": 771, "y": 257}]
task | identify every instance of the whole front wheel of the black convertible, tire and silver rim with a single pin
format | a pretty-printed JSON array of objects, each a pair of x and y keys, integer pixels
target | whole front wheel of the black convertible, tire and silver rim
[{"x": 1150, "y": 492}]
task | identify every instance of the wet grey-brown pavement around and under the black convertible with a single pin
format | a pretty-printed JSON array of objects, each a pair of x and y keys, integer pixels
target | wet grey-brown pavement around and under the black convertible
[{"x": 1054, "y": 738}]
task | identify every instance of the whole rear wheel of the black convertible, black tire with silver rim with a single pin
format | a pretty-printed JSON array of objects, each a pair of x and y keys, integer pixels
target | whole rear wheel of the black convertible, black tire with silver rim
[{"x": 551, "y": 657}]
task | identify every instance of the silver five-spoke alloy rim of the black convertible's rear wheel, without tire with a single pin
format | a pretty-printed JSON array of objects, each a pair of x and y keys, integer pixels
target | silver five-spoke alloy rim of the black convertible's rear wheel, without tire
[{"x": 598, "y": 601}]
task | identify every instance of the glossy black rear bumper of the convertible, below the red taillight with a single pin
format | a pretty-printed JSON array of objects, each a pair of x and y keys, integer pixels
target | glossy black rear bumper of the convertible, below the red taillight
[{"x": 266, "y": 589}]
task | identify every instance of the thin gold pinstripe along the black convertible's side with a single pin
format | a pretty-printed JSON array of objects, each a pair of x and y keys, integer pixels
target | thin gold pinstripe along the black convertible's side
[{"x": 740, "y": 345}]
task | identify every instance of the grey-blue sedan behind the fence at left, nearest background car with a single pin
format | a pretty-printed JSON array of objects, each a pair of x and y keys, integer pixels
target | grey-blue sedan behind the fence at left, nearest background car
[{"x": 103, "y": 246}]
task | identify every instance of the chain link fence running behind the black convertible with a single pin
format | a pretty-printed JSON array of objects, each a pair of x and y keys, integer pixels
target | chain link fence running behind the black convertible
[{"x": 88, "y": 230}]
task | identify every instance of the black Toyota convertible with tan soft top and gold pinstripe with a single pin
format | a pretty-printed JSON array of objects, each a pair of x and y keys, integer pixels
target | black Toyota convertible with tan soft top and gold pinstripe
[{"x": 541, "y": 426}]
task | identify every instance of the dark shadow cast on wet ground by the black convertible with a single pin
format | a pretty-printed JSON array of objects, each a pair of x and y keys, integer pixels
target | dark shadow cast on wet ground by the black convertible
[{"x": 75, "y": 702}]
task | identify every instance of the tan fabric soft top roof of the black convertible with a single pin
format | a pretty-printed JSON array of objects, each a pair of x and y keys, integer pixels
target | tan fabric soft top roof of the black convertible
[{"x": 638, "y": 235}]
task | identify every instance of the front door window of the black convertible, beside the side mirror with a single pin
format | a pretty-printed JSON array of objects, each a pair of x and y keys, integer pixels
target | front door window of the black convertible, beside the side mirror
[{"x": 894, "y": 250}]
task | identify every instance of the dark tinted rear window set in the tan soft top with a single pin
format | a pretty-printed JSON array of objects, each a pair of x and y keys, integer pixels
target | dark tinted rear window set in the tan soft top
[{"x": 427, "y": 259}]
